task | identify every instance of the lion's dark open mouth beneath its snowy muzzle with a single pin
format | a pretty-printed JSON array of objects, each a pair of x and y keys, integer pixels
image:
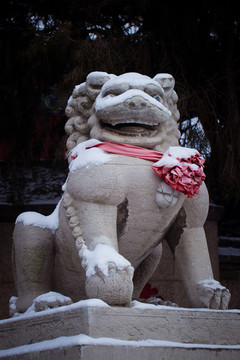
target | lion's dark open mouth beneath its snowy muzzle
[{"x": 130, "y": 128}]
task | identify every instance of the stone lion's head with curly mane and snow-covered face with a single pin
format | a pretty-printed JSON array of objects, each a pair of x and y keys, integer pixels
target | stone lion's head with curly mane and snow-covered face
[{"x": 130, "y": 108}]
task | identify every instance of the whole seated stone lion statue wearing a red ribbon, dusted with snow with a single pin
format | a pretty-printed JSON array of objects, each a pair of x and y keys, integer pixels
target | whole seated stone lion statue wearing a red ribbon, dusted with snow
[{"x": 104, "y": 239}]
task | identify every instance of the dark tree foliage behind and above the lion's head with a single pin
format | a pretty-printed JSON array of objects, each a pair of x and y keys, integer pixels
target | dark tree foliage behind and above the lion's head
[{"x": 47, "y": 47}]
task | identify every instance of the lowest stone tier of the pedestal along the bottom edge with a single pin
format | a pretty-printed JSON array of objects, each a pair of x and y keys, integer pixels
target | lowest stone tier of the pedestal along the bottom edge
[{"x": 128, "y": 352}]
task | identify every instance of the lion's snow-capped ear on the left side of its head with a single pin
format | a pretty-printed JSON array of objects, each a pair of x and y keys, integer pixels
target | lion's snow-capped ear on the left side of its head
[{"x": 94, "y": 82}]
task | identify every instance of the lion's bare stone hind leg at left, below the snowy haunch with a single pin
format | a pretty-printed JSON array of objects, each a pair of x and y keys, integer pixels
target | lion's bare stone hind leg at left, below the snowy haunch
[{"x": 33, "y": 262}]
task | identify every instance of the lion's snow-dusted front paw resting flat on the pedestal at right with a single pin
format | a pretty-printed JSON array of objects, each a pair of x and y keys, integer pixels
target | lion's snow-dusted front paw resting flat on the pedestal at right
[{"x": 213, "y": 295}]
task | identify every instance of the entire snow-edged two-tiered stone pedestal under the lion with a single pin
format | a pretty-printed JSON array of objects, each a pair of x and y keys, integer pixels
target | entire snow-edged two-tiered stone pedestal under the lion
[{"x": 82, "y": 331}]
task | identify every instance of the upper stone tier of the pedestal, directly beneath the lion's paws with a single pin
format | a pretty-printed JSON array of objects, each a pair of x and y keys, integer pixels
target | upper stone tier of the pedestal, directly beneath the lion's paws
[{"x": 162, "y": 323}]
